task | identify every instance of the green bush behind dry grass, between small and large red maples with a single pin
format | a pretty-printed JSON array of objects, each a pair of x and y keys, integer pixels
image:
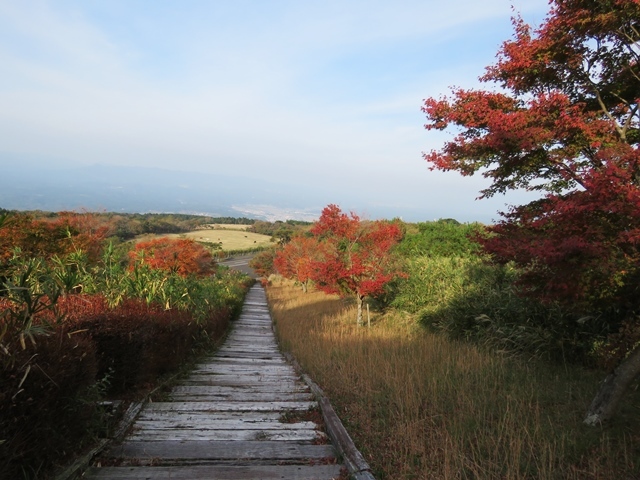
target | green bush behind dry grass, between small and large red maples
[{"x": 472, "y": 299}]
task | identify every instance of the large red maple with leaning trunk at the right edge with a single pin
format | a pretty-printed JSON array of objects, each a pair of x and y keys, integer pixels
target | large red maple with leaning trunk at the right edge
[{"x": 564, "y": 122}]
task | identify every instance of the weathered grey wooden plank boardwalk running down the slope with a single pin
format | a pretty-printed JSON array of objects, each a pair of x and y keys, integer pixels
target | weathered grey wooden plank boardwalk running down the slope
[{"x": 242, "y": 414}]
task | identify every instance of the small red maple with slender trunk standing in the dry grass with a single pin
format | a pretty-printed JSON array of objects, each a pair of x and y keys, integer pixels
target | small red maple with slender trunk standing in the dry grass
[{"x": 355, "y": 258}]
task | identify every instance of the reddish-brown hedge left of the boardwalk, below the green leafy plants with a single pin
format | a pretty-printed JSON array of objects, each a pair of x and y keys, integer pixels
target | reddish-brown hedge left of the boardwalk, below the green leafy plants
[{"x": 47, "y": 400}]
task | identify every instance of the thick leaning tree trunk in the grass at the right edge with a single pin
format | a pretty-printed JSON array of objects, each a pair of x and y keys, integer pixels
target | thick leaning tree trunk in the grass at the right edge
[{"x": 605, "y": 404}]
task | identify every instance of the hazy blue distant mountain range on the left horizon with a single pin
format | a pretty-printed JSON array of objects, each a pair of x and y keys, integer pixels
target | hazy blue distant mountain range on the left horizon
[{"x": 139, "y": 189}]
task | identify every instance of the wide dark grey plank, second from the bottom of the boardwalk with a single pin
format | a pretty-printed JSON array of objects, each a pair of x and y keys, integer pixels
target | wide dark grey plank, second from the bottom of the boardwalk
[{"x": 222, "y": 450}]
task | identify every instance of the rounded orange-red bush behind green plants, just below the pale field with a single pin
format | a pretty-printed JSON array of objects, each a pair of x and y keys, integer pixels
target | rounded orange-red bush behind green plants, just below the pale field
[{"x": 181, "y": 256}]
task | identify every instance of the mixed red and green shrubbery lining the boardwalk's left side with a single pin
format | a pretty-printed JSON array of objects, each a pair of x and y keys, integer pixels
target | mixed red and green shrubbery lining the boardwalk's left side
[{"x": 61, "y": 358}]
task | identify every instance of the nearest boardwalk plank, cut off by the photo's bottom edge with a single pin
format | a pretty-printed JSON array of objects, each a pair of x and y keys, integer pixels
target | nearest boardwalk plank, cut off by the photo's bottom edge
[{"x": 219, "y": 472}]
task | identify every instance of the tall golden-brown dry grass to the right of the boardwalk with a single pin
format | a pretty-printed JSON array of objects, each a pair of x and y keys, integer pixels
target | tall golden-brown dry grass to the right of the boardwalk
[{"x": 419, "y": 406}]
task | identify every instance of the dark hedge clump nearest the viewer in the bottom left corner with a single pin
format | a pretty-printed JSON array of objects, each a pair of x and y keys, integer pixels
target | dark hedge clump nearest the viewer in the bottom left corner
[{"x": 47, "y": 402}]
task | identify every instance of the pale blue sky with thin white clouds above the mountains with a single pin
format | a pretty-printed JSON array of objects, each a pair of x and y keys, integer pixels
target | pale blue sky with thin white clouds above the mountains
[{"x": 323, "y": 96}]
